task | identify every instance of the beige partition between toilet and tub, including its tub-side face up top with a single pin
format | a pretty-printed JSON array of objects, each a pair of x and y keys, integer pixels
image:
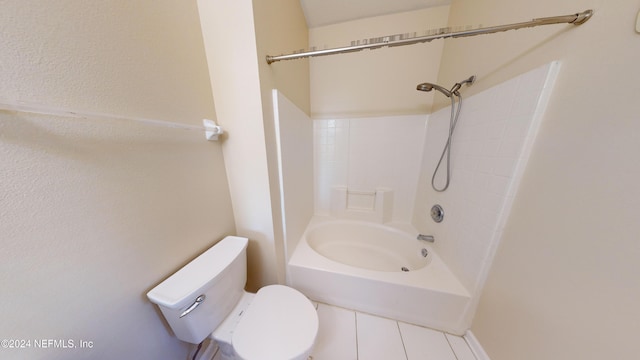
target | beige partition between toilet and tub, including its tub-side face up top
[{"x": 242, "y": 82}]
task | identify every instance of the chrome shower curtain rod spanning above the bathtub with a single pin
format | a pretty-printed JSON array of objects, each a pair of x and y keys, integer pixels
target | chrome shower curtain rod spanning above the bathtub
[{"x": 576, "y": 19}]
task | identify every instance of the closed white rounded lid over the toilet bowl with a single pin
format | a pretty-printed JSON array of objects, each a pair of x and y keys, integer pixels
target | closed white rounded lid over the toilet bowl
[{"x": 280, "y": 324}]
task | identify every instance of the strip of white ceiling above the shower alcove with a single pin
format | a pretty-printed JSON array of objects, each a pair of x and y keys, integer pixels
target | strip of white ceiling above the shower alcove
[{"x": 325, "y": 12}]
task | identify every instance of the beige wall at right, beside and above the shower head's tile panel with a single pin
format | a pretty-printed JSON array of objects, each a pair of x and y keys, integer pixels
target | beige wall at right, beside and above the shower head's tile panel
[{"x": 564, "y": 283}]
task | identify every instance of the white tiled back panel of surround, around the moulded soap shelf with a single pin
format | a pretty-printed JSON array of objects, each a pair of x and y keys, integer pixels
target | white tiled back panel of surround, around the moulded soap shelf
[{"x": 369, "y": 153}]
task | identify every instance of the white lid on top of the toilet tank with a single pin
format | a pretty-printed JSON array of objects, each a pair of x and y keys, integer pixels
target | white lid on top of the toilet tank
[{"x": 180, "y": 288}]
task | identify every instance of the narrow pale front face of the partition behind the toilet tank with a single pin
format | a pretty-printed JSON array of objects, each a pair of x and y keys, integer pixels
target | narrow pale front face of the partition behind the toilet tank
[{"x": 233, "y": 67}]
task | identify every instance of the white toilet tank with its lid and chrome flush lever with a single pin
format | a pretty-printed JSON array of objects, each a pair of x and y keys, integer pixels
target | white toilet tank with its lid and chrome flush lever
[{"x": 204, "y": 291}]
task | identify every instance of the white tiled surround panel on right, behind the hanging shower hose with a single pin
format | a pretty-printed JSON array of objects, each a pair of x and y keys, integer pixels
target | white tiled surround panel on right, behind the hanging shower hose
[{"x": 492, "y": 142}]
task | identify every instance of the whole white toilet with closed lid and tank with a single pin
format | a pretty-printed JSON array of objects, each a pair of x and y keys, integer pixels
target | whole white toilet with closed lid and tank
[{"x": 206, "y": 298}]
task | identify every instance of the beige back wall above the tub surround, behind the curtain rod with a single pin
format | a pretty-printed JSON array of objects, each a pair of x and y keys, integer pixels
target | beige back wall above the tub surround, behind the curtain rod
[{"x": 378, "y": 82}]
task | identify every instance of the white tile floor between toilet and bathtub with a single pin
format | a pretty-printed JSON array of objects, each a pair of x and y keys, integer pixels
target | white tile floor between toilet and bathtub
[{"x": 350, "y": 335}]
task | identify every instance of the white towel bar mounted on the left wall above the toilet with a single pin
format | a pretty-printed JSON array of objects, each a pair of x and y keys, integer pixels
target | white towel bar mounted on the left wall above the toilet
[{"x": 210, "y": 128}]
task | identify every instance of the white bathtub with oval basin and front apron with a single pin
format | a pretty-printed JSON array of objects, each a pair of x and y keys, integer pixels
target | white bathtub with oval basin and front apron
[{"x": 380, "y": 270}]
